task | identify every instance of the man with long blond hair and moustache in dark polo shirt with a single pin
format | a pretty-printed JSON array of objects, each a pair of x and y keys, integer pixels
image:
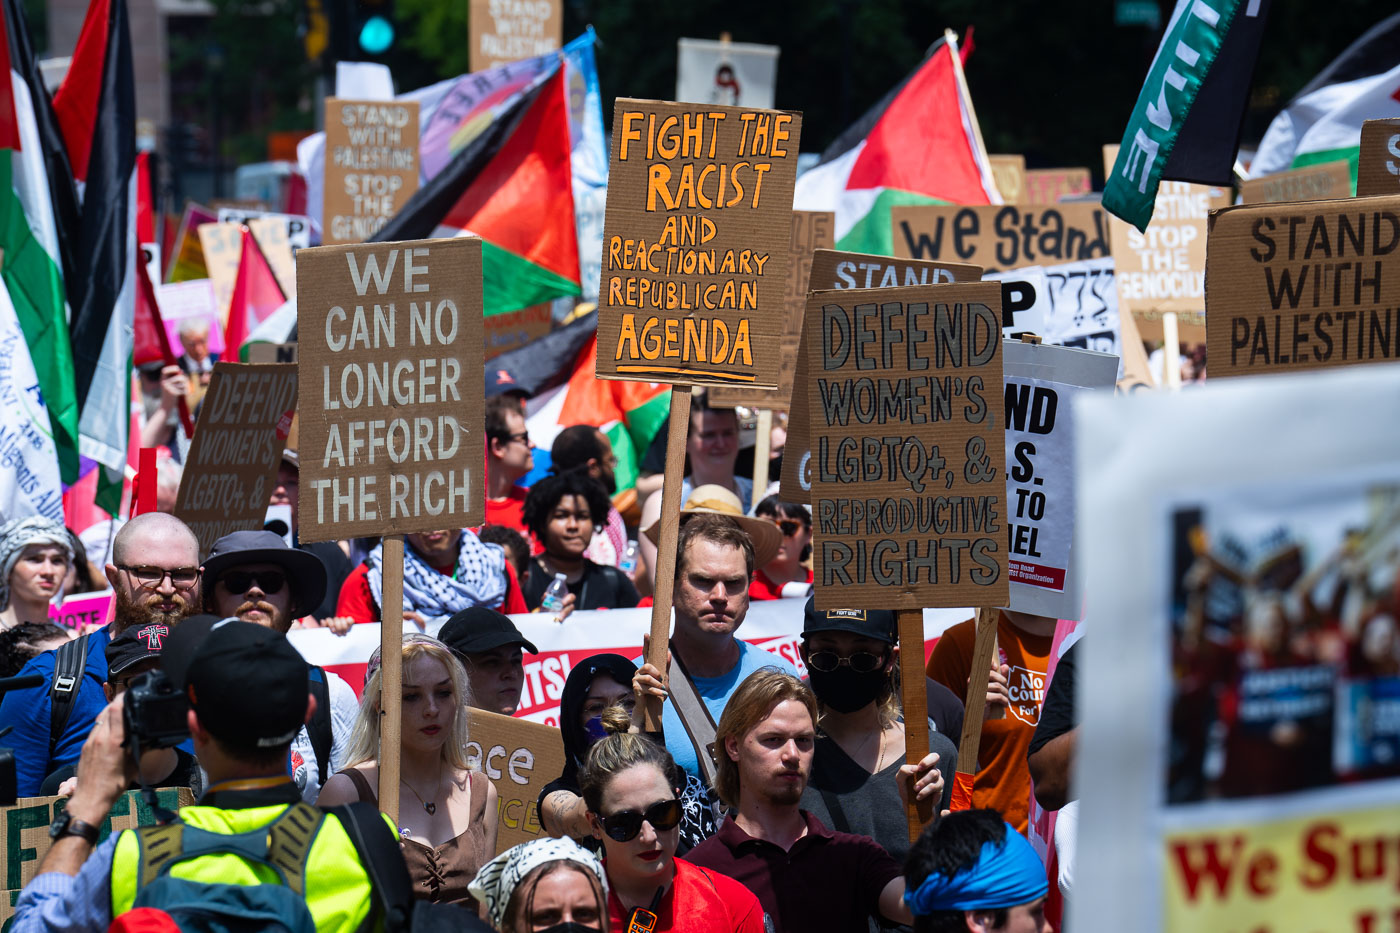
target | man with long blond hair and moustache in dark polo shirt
[{"x": 806, "y": 876}]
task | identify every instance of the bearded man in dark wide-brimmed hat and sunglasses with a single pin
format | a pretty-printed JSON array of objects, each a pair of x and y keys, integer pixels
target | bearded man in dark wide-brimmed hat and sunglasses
[{"x": 255, "y": 578}]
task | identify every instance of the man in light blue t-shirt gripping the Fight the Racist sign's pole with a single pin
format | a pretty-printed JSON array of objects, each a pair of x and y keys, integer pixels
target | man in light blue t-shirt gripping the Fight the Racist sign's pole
[{"x": 715, "y": 564}]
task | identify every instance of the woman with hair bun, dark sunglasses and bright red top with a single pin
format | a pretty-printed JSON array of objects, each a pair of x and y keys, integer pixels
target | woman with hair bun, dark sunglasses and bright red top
[{"x": 629, "y": 788}]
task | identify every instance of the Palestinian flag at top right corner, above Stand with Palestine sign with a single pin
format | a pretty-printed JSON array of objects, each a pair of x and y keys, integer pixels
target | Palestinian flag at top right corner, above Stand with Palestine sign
[{"x": 1322, "y": 124}]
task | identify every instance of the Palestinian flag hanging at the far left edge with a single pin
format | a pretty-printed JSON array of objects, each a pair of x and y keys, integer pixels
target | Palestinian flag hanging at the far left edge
[{"x": 31, "y": 247}]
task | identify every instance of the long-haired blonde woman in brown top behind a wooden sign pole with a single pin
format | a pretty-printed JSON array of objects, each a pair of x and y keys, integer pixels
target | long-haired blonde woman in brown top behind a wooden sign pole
[{"x": 447, "y": 813}]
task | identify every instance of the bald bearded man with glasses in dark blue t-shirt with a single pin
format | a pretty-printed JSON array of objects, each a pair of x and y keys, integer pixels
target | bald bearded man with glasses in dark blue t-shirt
[{"x": 155, "y": 574}]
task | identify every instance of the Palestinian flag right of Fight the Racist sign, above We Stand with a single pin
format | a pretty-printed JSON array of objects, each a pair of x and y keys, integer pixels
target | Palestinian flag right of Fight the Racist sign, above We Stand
[{"x": 919, "y": 146}]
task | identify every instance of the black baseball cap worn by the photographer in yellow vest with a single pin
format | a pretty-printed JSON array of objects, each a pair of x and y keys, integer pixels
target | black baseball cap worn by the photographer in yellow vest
[{"x": 246, "y": 682}]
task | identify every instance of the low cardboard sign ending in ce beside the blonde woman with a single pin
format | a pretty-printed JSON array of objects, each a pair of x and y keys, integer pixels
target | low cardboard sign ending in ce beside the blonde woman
[{"x": 520, "y": 759}]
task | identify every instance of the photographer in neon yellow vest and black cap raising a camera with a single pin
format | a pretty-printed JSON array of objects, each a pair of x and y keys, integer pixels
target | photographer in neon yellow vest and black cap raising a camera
[{"x": 250, "y": 850}]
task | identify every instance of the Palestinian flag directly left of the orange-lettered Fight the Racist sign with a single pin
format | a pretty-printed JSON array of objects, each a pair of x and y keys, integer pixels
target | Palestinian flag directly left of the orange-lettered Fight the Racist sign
[{"x": 512, "y": 187}]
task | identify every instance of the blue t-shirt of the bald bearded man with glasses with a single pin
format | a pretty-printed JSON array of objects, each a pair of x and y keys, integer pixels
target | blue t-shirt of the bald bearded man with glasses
[{"x": 29, "y": 714}]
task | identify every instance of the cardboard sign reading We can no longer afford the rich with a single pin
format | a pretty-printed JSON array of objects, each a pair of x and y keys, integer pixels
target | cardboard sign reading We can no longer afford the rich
[{"x": 391, "y": 389}]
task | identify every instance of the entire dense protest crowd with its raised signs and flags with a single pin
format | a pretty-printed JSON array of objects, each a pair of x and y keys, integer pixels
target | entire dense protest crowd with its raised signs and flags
[{"x": 563, "y": 544}]
